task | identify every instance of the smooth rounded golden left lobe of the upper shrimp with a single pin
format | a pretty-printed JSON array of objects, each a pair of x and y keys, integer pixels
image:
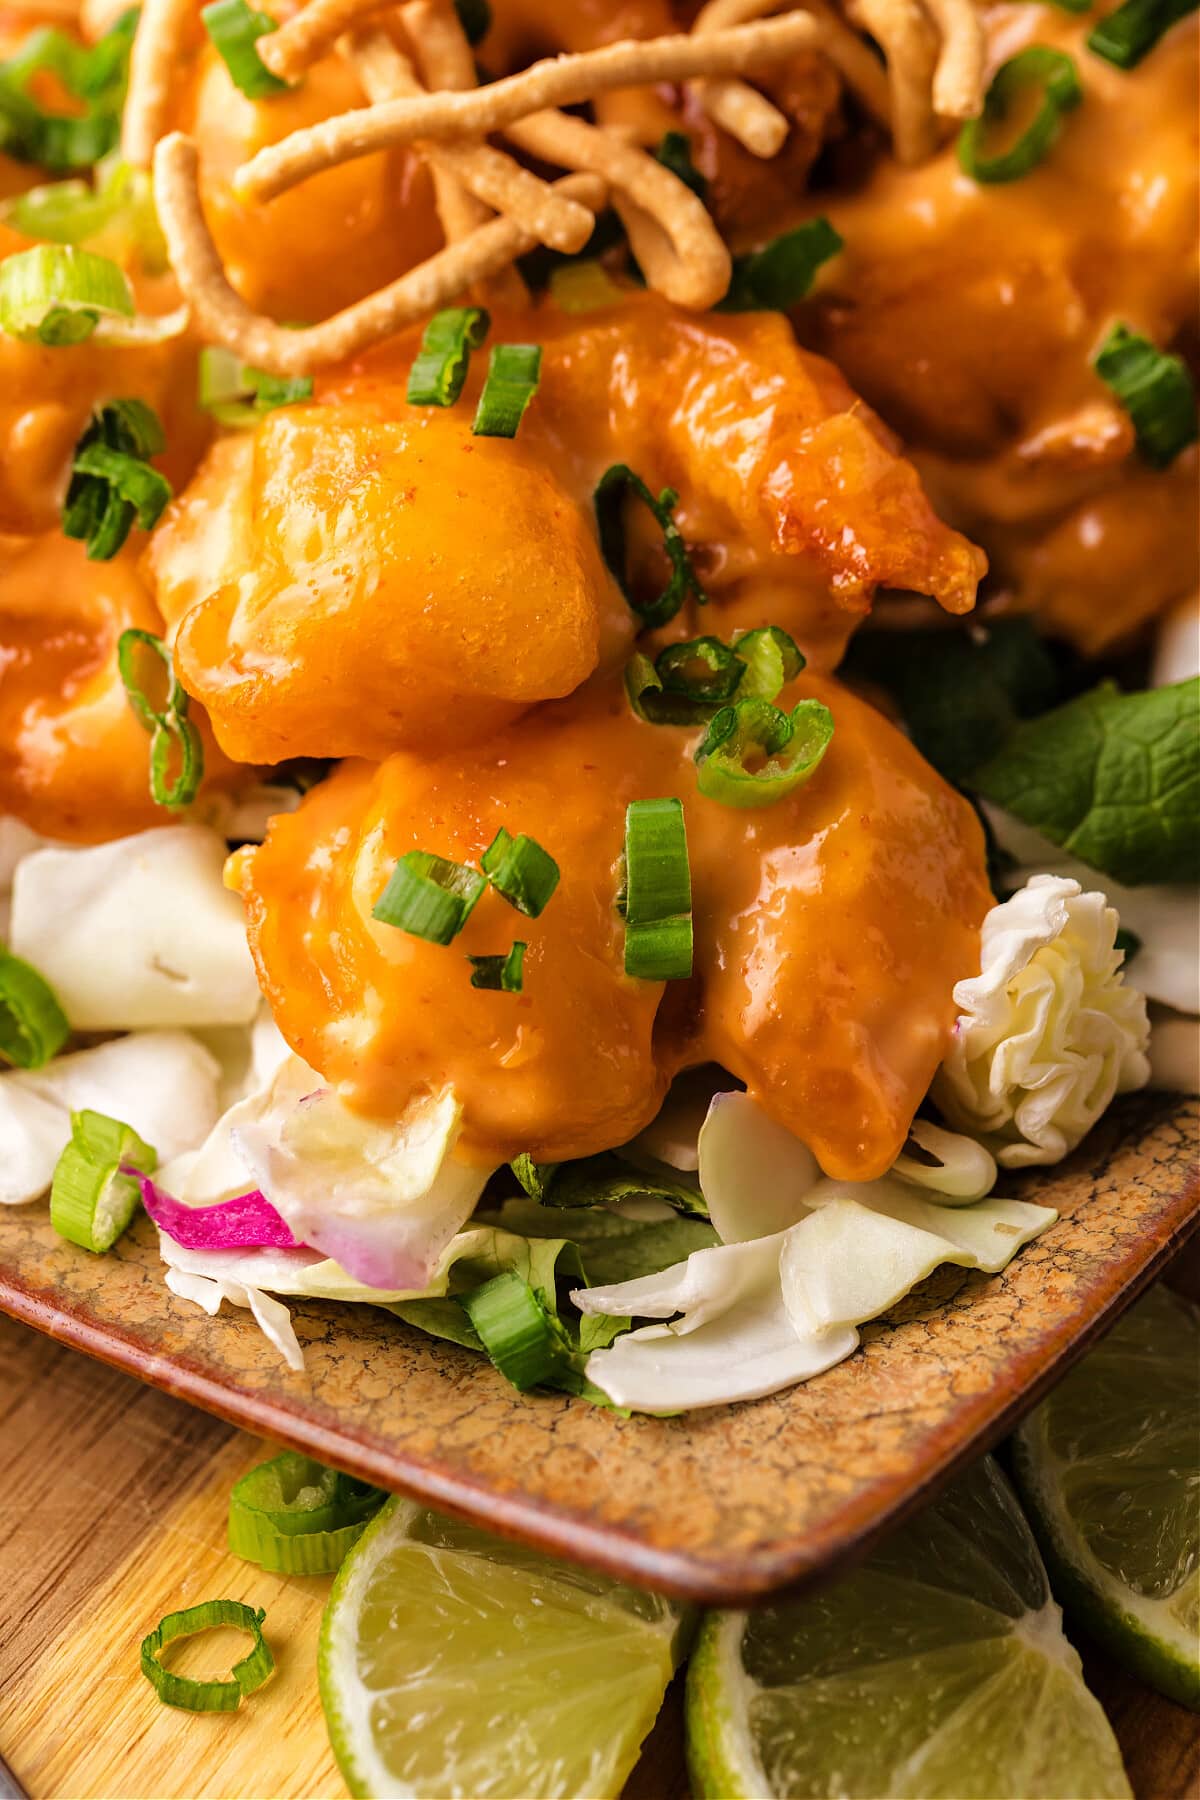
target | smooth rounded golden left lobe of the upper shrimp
[{"x": 384, "y": 579}]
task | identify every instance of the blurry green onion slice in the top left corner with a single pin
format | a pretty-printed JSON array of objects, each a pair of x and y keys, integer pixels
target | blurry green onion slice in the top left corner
[{"x": 94, "y": 76}]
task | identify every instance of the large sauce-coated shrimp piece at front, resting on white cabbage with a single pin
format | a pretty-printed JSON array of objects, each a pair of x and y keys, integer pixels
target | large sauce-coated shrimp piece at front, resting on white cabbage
[{"x": 830, "y": 931}]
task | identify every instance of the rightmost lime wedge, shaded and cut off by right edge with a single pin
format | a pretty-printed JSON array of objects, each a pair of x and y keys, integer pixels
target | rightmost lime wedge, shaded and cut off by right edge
[{"x": 1109, "y": 1470}]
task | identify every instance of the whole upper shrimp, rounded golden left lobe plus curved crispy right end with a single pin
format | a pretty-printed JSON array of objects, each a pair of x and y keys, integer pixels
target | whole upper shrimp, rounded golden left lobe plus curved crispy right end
[{"x": 363, "y": 575}]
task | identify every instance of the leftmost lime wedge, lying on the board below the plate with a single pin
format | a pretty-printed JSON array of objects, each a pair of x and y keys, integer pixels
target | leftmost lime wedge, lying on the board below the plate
[{"x": 456, "y": 1664}]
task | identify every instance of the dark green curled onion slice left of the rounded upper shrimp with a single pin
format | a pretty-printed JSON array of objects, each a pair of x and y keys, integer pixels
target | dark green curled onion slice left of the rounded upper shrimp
[{"x": 109, "y": 492}]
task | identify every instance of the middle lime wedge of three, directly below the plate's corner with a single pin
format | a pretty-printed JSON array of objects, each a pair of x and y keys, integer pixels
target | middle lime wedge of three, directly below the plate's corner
[{"x": 936, "y": 1669}]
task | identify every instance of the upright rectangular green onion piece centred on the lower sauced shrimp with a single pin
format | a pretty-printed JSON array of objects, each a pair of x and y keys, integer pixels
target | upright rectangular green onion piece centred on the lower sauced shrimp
[{"x": 658, "y": 892}]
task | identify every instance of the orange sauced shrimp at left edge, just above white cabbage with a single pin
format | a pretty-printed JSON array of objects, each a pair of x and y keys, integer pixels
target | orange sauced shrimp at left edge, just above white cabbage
[{"x": 75, "y": 762}]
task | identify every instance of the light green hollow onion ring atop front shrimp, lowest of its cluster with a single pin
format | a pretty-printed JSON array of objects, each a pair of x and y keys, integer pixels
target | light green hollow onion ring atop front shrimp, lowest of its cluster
[{"x": 787, "y": 746}]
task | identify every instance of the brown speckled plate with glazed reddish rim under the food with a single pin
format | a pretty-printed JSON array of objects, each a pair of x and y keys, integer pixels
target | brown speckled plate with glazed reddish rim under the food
[{"x": 719, "y": 1506}]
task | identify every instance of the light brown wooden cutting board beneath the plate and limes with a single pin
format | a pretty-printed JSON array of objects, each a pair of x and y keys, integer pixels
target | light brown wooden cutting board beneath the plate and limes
[{"x": 112, "y": 1513}]
